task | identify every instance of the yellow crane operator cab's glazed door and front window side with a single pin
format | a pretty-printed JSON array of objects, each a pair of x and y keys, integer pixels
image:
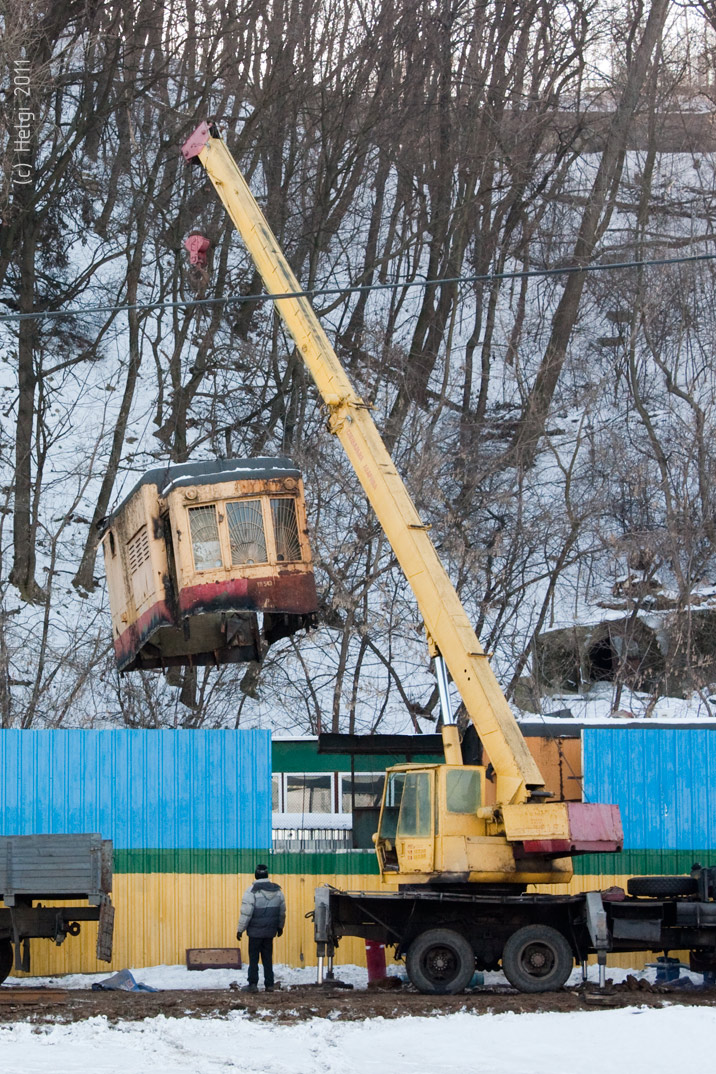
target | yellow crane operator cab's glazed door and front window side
[{"x": 406, "y": 836}]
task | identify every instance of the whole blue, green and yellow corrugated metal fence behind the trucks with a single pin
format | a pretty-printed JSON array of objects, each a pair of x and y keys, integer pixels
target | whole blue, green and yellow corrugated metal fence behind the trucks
[{"x": 189, "y": 814}]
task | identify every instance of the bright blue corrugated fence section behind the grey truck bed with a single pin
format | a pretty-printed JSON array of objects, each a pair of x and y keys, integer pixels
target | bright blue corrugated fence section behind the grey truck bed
[{"x": 204, "y": 790}]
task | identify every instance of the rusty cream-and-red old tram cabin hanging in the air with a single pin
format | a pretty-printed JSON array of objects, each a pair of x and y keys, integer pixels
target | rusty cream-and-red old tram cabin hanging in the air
[{"x": 197, "y": 553}]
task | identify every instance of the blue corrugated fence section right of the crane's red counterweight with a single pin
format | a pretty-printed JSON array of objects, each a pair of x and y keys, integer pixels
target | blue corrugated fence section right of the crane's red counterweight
[{"x": 663, "y": 779}]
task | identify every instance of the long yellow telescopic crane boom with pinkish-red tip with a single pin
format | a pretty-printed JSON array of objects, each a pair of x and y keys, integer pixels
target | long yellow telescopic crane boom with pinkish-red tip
[{"x": 450, "y": 632}]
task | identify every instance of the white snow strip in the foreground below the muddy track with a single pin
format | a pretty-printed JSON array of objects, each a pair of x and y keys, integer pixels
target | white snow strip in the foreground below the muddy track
[{"x": 634, "y": 1039}]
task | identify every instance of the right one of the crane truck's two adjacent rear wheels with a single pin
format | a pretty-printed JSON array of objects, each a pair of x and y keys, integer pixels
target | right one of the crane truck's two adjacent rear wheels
[{"x": 537, "y": 959}]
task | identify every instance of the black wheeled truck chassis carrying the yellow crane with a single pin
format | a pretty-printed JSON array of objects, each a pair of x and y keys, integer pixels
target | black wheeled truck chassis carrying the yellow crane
[{"x": 445, "y": 936}]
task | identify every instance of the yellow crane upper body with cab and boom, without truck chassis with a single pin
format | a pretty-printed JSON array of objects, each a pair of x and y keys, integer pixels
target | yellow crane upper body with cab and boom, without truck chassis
[{"x": 433, "y": 826}]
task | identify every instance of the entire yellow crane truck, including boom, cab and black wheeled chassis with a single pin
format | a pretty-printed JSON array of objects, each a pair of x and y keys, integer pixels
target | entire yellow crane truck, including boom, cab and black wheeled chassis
[{"x": 456, "y": 870}]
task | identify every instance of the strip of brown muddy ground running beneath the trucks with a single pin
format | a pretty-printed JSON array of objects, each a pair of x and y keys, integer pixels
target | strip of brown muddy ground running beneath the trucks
[{"x": 303, "y": 1003}]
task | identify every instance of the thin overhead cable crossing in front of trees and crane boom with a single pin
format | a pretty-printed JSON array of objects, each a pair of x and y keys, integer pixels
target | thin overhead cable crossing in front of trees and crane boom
[{"x": 356, "y": 289}]
